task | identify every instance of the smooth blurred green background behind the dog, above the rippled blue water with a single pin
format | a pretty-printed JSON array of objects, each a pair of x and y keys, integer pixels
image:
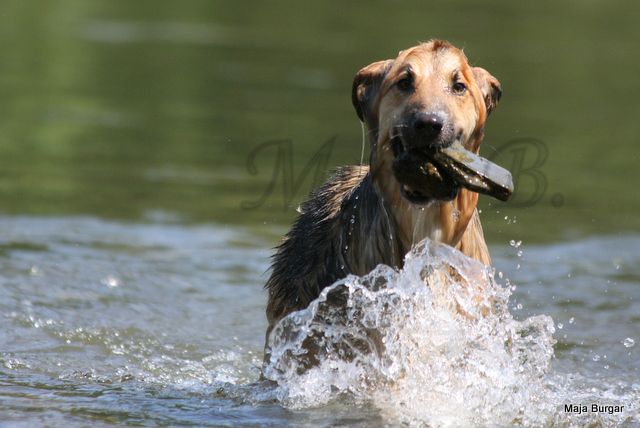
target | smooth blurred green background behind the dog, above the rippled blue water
[{"x": 148, "y": 110}]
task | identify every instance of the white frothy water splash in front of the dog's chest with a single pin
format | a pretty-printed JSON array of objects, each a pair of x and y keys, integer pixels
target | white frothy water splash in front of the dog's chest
[{"x": 432, "y": 343}]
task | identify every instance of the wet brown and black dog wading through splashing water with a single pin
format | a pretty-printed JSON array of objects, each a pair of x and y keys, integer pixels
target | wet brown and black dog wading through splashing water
[{"x": 428, "y": 97}]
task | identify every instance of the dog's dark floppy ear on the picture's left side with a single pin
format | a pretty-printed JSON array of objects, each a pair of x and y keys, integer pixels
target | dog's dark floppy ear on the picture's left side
[{"x": 366, "y": 85}]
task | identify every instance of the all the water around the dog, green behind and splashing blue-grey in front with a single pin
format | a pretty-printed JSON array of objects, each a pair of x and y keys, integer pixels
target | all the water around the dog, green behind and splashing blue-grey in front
[{"x": 152, "y": 154}]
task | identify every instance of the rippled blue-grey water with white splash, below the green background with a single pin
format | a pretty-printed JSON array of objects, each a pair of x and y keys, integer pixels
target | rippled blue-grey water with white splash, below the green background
[{"x": 112, "y": 322}]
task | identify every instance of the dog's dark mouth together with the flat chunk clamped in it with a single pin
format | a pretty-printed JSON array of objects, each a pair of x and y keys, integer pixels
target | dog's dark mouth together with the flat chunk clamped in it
[{"x": 438, "y": 173}]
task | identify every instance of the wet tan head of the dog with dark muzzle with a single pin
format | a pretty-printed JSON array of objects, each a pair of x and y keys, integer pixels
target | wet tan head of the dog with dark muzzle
[{"x": 425, "y": 99}]
